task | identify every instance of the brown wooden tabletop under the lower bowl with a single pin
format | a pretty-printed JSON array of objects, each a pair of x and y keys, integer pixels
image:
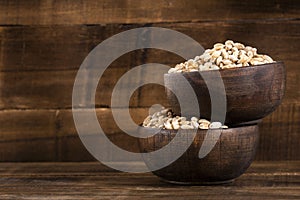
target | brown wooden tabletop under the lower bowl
[{"x": 91, "y": 180}]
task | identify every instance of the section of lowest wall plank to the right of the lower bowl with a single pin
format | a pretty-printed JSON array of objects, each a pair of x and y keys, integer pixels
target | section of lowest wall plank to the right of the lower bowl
[{"x": 279, "y": 138}]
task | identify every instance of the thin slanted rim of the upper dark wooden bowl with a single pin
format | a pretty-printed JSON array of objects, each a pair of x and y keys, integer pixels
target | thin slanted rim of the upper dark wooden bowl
[{"x": 281, "y": 63}]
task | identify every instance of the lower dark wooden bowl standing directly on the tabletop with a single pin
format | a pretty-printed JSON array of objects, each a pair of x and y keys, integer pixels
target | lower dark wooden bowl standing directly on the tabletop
[{"x": 230, "y": 157}]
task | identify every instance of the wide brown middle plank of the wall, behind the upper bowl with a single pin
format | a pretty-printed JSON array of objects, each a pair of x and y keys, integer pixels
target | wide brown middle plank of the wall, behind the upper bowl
[{"x": 21, "y": 95}]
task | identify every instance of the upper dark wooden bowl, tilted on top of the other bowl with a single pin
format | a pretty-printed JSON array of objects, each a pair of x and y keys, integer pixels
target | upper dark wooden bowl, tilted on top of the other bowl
[{"x": 251, "y": 92}]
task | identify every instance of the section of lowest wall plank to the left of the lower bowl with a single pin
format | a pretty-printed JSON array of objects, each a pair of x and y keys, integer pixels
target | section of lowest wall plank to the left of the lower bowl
[{"x": 50, "y": 135}]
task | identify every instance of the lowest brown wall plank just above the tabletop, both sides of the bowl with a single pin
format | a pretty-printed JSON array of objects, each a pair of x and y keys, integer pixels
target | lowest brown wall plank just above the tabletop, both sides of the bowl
[{"x": 22, "y": 129}]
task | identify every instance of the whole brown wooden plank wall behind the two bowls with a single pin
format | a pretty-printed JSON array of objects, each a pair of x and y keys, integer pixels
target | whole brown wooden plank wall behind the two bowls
[{"x": 43, "y": 43}]
